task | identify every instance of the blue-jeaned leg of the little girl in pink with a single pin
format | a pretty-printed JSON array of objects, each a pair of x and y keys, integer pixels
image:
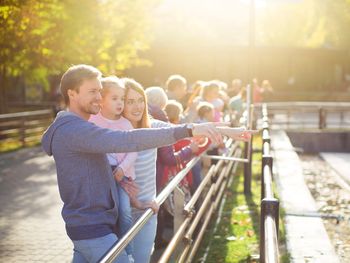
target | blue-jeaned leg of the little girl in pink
[{"x": 124, "y": 218}]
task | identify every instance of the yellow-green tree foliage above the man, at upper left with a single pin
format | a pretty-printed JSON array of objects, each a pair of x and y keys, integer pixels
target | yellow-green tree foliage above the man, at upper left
[{"x": 42, "y": 38}]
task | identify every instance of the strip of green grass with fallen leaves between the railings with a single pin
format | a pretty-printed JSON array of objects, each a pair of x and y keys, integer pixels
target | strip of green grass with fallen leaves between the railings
[{"x": 240, "y": 221}]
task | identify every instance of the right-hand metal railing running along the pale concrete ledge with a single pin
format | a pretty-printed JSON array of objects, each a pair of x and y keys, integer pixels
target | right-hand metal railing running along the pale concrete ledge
[{"x": 269, "y": 217}]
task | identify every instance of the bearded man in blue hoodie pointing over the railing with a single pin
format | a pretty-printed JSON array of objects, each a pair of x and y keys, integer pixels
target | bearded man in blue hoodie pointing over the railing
[{"x": 85, "y": 180}]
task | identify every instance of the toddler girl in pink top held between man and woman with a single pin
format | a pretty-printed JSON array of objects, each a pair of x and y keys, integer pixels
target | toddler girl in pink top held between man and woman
[{"x": 110, "y": 117}]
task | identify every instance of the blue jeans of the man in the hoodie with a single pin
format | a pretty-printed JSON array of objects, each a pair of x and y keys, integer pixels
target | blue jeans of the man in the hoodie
[{"x": 91, "y": 250}]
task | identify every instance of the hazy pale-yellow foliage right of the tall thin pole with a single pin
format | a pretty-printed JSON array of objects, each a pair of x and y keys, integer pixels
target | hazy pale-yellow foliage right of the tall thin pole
[{"x": 309, "y": 23}]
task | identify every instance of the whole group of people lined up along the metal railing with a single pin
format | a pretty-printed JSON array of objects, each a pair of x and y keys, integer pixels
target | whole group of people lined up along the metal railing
[{"x": 116, "y": 145}]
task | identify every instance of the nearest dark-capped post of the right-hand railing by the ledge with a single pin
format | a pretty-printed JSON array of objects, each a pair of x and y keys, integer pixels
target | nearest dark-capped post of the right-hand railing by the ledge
[{"x": 269, "y": 207}]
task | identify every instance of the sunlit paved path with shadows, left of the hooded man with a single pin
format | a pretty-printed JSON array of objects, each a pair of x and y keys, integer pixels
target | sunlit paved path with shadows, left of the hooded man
[{"x": 31, "y": 226}]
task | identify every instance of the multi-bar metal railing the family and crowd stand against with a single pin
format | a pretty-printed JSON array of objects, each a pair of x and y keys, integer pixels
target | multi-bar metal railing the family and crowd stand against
[{"x": 216, "y": 179}]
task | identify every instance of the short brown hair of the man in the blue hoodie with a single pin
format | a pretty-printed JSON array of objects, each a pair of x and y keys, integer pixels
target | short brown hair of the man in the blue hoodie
[{"x": 75, "y": 76}]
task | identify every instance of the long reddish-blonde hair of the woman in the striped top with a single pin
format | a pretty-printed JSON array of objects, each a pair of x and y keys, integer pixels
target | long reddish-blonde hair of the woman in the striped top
[{"x": 131, "y": 84}]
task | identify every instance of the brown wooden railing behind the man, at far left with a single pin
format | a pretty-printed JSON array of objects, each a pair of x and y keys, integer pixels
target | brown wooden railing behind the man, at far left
[{"x": 24, "y": 127}]
